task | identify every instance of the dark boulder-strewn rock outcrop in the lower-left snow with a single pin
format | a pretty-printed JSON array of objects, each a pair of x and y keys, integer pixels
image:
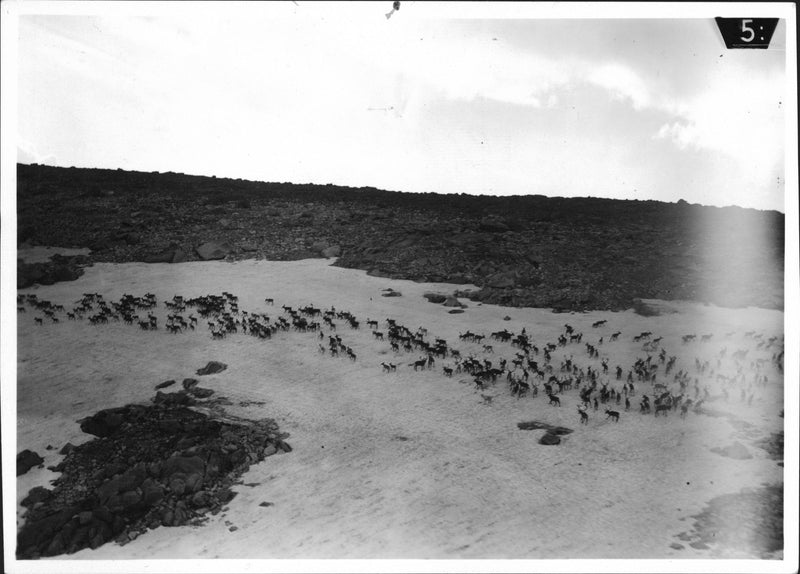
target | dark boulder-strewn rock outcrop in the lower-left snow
[{"x": 151, "y": 465}]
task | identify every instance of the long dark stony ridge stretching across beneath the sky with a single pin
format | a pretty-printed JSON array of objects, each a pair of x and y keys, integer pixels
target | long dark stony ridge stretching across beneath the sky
[{"x": 567, "y": 254}]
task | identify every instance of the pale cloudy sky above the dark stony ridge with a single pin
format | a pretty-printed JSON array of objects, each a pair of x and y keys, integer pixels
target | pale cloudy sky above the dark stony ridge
[{"x": 644, "y": 108}]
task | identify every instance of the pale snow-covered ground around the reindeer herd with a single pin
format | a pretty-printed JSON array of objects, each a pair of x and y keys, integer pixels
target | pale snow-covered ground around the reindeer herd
[{"x": 409, "y": 464}]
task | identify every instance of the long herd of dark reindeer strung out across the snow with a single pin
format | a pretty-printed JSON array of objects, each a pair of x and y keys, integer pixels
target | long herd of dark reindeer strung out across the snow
[{"x": 587, "y": 383}]
